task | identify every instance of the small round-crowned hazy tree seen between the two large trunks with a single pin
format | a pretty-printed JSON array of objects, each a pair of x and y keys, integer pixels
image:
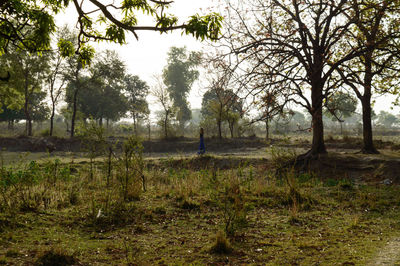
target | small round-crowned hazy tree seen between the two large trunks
[{"x": 340, "y": 105}]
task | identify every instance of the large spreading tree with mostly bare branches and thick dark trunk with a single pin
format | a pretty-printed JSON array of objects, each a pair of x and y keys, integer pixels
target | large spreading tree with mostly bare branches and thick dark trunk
[{"x": 292, "y": 42}]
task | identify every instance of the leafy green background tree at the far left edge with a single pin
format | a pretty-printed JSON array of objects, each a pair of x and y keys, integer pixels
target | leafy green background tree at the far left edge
[{"x": 28, "y": 73}]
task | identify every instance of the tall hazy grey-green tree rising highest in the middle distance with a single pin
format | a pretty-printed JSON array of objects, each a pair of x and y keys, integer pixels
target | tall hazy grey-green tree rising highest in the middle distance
[{"x": 179, "y": 75}]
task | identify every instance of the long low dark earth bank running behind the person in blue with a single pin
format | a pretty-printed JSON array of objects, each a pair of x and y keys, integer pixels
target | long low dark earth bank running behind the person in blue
[{"x": 180, "y": 145}]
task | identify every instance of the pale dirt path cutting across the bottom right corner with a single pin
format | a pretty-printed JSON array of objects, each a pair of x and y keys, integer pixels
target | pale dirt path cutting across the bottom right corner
[{"x": 389, "y": 254}]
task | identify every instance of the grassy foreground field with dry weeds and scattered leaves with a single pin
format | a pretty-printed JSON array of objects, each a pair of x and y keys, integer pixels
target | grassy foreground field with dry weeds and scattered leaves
[{"x": 176, "y": 211}]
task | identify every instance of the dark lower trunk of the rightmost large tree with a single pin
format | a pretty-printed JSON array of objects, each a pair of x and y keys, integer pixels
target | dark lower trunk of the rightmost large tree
[{"x": 368, "y": 143}]
